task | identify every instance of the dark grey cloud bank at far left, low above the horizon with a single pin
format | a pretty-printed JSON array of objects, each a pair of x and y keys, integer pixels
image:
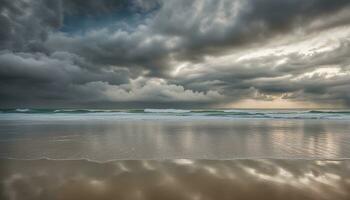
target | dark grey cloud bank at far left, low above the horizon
[{"x": 55, "y": 79}]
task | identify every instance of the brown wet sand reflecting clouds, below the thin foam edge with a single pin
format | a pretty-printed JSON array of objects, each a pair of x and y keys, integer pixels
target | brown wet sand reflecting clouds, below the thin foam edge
[{"x": 175, "y": 179}]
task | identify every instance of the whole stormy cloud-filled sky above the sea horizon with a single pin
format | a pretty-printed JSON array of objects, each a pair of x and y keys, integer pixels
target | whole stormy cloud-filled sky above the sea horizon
[{"x": 175, "y": 53}]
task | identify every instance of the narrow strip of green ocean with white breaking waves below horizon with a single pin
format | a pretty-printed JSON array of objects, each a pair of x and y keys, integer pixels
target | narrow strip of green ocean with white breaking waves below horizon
[{"x": 174, "y": 113}]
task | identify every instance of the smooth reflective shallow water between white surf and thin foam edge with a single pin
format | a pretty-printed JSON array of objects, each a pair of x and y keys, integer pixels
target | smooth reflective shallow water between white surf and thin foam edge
[{"x": 104, "y": 140}]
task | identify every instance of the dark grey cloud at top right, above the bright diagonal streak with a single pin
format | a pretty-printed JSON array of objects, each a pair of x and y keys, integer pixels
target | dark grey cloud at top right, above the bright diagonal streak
[{"x": 208, "y": 27}]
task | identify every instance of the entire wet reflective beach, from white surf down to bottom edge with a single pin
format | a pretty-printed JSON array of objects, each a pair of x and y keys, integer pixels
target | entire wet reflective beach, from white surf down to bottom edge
[{"x": 147, "y": 156}]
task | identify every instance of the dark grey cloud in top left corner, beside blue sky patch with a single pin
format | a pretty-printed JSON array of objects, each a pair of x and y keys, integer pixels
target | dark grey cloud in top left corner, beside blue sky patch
[{"x": 26, "y": 23}]
